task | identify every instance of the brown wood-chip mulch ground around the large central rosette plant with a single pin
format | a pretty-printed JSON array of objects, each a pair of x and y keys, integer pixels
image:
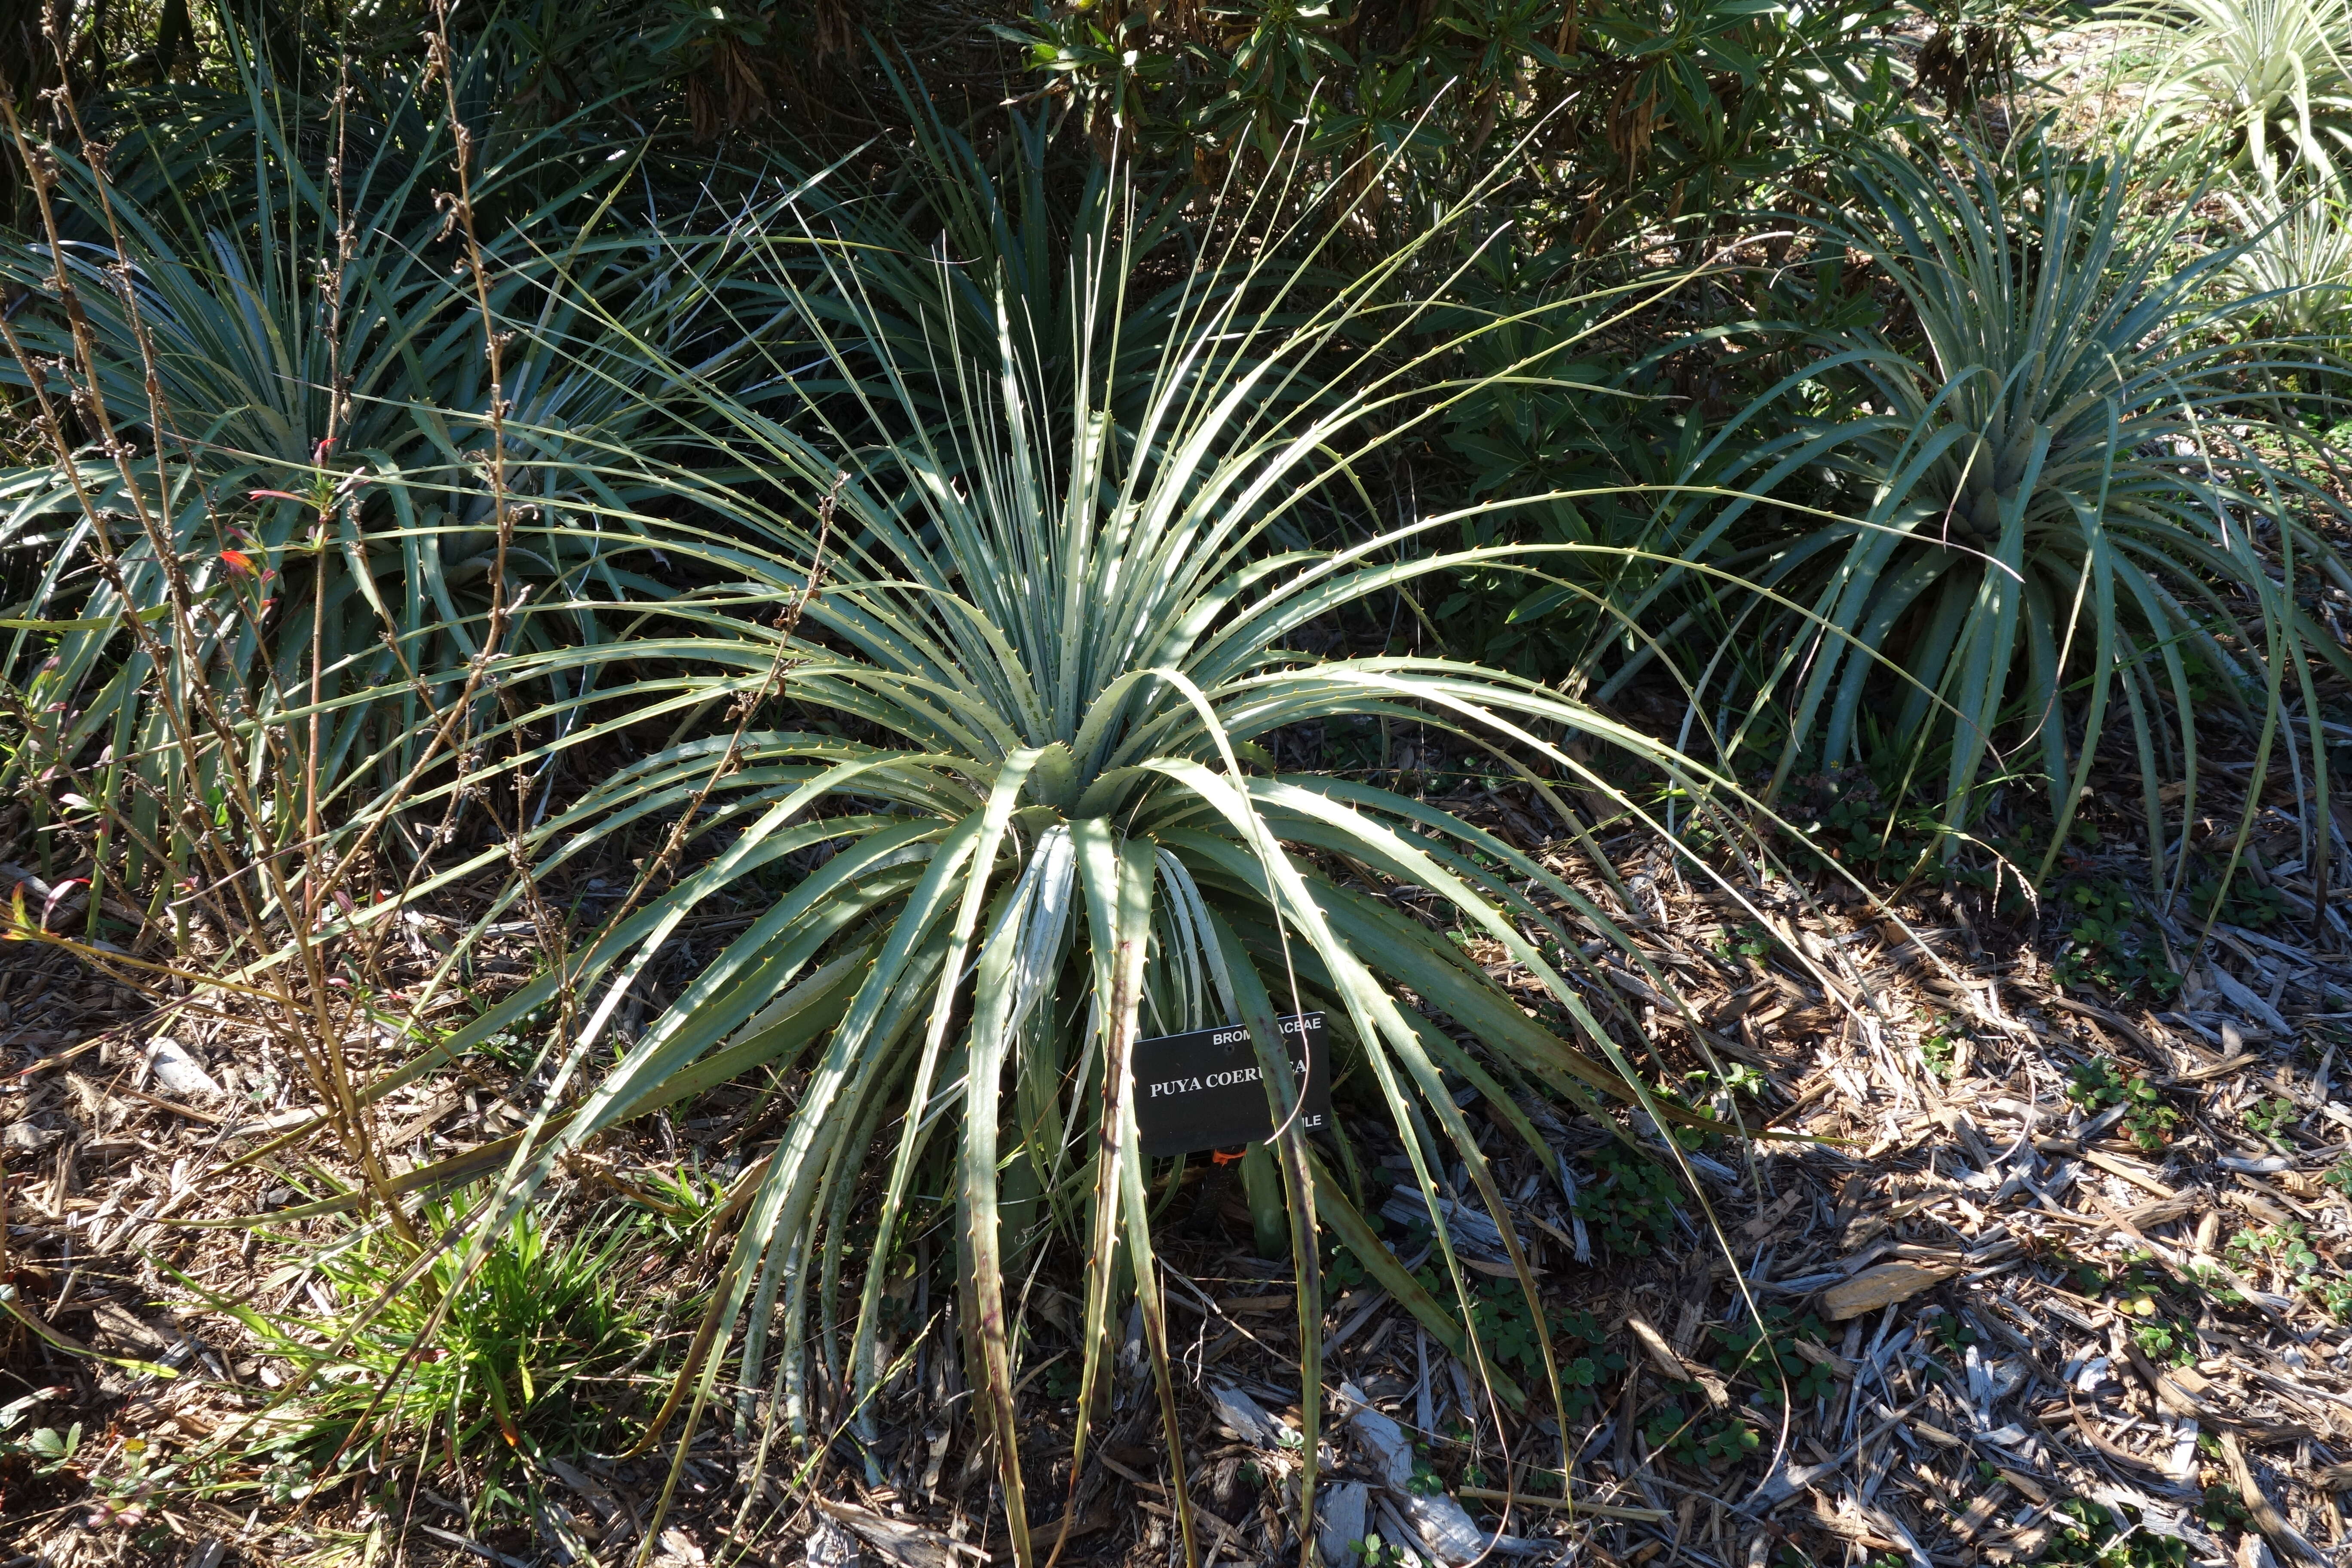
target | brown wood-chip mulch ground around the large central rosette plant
[{"x": 2024, "y": 1273}]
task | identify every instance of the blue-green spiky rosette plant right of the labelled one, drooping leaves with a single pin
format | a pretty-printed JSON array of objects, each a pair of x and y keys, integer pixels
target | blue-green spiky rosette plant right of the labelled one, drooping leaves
[{"x": 2054, "y": 516}]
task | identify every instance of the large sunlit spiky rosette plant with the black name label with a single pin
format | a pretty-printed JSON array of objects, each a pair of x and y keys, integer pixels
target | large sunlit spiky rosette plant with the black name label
[{"x": 998, "y": 798}]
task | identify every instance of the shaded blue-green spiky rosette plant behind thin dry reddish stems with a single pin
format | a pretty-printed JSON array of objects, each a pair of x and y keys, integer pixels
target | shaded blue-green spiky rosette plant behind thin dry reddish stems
[{"x": 298, "y": 417}]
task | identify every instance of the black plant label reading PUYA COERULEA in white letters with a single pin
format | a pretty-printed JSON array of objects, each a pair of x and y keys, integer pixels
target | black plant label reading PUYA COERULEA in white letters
[{"x": 1205, "y": 1092}]
